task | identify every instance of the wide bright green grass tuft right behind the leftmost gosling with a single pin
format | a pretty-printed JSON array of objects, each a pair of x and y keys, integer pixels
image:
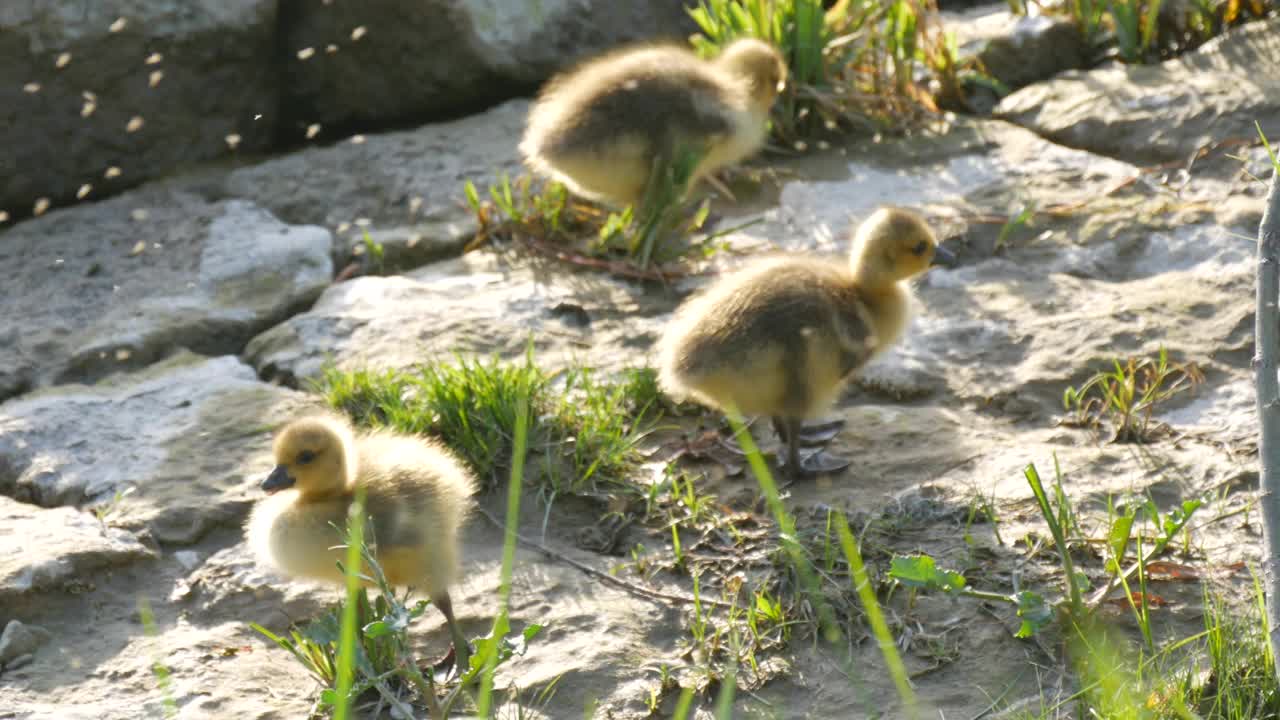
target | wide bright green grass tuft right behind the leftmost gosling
[{"x": 587, "y": 429}]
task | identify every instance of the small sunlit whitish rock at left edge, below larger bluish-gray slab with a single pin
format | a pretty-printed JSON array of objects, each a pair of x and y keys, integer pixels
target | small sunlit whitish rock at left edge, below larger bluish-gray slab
[{"x": 48, "y": 549}]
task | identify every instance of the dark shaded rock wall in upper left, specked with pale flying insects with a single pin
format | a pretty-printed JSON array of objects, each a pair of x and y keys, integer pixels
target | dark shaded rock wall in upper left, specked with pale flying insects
[{"x": 100, "y": 98}]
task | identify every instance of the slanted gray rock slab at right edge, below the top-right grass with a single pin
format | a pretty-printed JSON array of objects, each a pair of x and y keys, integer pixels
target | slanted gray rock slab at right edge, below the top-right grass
[{"x": 1167, "y": 112}]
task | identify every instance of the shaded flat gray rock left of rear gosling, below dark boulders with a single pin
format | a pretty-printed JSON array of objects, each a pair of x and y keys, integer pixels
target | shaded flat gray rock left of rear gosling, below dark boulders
[{"x": 395, "y": 186}]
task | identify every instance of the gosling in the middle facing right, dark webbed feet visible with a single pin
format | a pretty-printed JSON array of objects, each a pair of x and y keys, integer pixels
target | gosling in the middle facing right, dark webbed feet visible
[{"x": 783, "y": 336}]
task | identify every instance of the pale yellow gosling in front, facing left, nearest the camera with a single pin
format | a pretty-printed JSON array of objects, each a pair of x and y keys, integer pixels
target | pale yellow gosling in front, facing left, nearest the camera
[{"x": 417, "y": 498}]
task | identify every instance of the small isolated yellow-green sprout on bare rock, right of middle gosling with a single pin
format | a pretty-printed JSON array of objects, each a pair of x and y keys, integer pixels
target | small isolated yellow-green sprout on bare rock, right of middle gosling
[{"x": 1128, "y": 395}]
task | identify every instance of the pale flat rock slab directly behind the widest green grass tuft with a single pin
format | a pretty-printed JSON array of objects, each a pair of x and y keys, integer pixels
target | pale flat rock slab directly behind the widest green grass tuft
[{"x": 476, "y": 304}]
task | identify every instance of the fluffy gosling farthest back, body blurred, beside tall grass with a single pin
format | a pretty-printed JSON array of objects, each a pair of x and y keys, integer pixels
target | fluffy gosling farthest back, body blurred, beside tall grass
[{"x": 606, "y": 126}]
